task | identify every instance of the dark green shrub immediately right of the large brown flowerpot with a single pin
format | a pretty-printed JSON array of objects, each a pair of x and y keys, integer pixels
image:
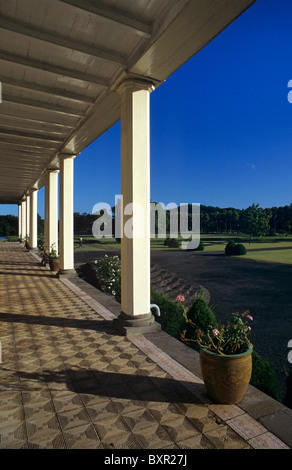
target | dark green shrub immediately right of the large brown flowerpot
[{"x": 264, "y": 376}]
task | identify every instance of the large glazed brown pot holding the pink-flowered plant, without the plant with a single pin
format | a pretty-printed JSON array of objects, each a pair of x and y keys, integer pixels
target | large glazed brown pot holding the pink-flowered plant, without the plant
[{"x": 226, "y": 377}]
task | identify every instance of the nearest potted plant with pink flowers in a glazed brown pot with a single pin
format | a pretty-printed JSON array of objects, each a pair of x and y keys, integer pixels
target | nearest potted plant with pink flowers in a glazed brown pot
[{"x": 225, "y": 357}]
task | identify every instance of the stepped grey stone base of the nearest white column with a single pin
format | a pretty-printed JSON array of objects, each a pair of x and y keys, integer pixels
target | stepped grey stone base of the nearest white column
[{"x": 139, "y": 324}]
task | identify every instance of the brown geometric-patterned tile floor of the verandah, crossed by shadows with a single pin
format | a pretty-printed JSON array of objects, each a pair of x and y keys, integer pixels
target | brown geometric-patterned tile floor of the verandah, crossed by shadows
[{"x": 68, "y": 380}]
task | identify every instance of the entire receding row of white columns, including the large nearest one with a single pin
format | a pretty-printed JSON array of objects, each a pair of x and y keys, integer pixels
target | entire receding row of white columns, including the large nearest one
[{"x": 135, "y": 187}]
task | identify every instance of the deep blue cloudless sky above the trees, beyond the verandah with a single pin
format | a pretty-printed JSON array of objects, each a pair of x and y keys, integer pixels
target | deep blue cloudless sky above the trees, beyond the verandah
[{"x": 221, "y": 126}]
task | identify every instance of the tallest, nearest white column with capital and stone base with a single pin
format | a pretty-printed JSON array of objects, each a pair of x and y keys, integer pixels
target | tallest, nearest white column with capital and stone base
[{"x": 135, "y": 189}]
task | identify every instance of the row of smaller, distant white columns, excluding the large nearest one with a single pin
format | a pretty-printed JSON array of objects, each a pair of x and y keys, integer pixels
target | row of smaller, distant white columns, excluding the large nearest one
[{"x": 59, "y": 233}]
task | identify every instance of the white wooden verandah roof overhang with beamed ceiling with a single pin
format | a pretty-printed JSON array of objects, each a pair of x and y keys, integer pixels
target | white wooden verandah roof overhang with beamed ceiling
[{"x": 60, "y": 61}]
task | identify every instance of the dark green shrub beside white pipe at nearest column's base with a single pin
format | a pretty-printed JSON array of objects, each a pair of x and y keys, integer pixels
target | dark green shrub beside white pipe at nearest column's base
[{"x": 171, "y": 316}]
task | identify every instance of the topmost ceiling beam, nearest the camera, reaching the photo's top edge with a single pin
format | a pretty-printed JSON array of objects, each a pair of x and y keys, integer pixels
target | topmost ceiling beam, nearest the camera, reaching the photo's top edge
[{"x": 114, "y": 15}]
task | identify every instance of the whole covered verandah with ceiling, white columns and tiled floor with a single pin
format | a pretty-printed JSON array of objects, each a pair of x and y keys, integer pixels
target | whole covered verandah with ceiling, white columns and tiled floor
[{"x": 70, "y": 70}]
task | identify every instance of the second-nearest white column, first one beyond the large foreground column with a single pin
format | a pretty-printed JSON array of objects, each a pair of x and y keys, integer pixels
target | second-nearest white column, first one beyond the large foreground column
[{"x": 67, "y": 215}]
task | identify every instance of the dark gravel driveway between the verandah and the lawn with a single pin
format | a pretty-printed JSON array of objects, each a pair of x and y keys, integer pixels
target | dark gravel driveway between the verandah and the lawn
[{"x": 236, "y": 284}]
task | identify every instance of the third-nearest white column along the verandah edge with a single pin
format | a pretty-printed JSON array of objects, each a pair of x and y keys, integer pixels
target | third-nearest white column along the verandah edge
[{"x": 51, "y": 209}]
